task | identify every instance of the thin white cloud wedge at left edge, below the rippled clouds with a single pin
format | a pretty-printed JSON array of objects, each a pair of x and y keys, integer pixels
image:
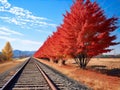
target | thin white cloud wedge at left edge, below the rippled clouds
[{"x": 6, "y": 31}]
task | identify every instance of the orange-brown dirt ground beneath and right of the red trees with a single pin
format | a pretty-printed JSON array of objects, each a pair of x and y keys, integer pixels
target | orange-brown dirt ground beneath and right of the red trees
[{"x": 94, "y": 80}]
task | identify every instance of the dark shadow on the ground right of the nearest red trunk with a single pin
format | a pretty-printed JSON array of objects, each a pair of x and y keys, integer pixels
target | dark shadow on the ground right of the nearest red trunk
[{"x": 104, "y": 70}]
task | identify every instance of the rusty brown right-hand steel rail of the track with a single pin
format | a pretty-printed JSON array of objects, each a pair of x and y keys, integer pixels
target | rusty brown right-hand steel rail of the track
[{"x": 50, "y": 83}]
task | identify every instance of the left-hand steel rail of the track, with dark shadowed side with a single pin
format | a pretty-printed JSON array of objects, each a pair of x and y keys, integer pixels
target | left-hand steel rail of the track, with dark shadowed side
[{"x": 8, "y": 84}]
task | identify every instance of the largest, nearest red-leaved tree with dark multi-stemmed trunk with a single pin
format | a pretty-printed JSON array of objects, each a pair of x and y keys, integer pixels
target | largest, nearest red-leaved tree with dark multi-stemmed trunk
[{"x": 87, "y": 31}]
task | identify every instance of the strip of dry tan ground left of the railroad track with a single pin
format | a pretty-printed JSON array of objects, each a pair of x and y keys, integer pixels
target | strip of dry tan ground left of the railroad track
[{"x": 9, "y": 64}]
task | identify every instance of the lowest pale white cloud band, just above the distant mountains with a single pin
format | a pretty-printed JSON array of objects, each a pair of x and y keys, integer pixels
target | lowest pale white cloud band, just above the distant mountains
[{"x": 22, "y": 44}]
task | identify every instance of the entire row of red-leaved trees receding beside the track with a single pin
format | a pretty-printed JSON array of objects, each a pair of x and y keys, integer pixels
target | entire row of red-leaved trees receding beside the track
[{"x": 85, "y": 33}]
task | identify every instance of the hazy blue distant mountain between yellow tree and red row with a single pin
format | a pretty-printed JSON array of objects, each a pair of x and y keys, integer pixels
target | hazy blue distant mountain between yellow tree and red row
[{"x": 20, "y": 54}]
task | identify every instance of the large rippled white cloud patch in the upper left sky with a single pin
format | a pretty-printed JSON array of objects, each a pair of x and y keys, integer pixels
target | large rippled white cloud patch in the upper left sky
[{"x": 22, "y": 17}]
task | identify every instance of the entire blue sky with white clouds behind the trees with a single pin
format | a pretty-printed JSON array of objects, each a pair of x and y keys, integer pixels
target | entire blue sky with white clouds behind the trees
[{"x": 28, "y": 23}]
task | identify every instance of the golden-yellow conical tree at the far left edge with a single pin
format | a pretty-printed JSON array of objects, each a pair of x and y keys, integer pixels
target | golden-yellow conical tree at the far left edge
[{"x": 7, "y": 53}]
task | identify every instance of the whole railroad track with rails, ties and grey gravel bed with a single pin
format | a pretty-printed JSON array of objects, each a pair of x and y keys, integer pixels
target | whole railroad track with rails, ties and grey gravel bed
[{"x": 34, "y": 75}]
